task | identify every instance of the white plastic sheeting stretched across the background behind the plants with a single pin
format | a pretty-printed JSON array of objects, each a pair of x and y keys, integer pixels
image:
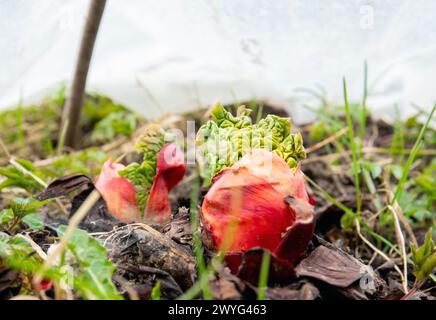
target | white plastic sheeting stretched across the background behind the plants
[{"x": 175, "y": 55}]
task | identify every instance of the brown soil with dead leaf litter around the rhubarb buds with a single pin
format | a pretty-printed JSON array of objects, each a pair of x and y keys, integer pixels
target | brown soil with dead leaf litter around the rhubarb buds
[{"x": 333, "y": 268}]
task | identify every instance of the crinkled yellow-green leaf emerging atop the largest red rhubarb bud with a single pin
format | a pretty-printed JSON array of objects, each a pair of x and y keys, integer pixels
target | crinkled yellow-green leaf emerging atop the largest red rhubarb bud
[{"x": 226, "y": 138}]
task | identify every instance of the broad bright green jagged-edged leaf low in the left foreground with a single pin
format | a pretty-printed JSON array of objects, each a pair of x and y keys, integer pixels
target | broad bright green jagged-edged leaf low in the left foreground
[{"x": 93, "y": 276}]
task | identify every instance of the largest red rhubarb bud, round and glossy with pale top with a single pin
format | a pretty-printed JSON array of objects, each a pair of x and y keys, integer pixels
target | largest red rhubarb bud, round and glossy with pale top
[{"x": 259, "y": 202}]
